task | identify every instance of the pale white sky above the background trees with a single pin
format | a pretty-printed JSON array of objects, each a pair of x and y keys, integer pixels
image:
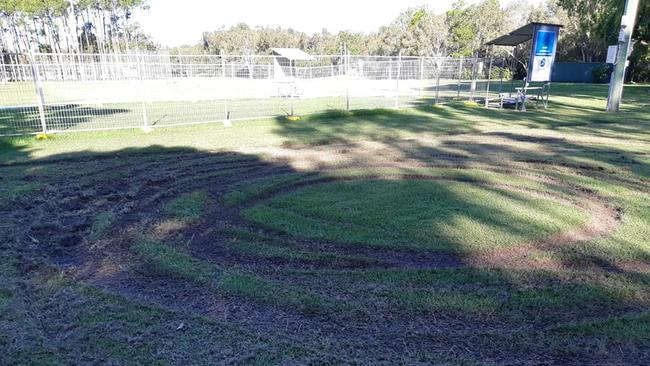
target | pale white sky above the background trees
[{"x": 180, "y": 22}]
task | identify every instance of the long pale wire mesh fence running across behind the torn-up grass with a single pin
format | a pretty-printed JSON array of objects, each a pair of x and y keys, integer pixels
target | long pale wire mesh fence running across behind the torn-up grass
[{"x": 80, "y": 92}]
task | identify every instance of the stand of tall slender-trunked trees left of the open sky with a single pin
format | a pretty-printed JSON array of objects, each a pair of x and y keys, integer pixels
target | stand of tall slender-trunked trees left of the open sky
[{"x": 70, "y": 26}]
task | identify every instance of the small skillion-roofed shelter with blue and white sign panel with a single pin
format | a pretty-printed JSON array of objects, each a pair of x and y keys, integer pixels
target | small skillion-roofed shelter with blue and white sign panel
[{"x": 540, "y": 64}]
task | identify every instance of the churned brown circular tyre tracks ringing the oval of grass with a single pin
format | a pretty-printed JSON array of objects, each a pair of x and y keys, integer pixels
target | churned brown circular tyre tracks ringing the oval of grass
[{"x": 60, "y": 226}]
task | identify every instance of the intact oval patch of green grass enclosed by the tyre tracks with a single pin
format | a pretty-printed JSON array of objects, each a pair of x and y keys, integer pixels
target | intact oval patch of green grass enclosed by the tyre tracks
[{"x": 441, "y": 216}]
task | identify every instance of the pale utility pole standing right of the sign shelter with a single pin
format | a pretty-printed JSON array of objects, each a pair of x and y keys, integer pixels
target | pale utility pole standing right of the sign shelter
[{"x": 624, "y": 43}]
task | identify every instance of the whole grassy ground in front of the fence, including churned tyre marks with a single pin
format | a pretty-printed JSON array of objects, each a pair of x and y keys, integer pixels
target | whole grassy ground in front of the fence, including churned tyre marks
[{"x": 431, "y": 235}]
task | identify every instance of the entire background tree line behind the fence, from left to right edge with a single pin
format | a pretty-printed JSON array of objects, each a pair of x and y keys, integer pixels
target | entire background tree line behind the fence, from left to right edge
[{"x": 106, "y": 26}]
